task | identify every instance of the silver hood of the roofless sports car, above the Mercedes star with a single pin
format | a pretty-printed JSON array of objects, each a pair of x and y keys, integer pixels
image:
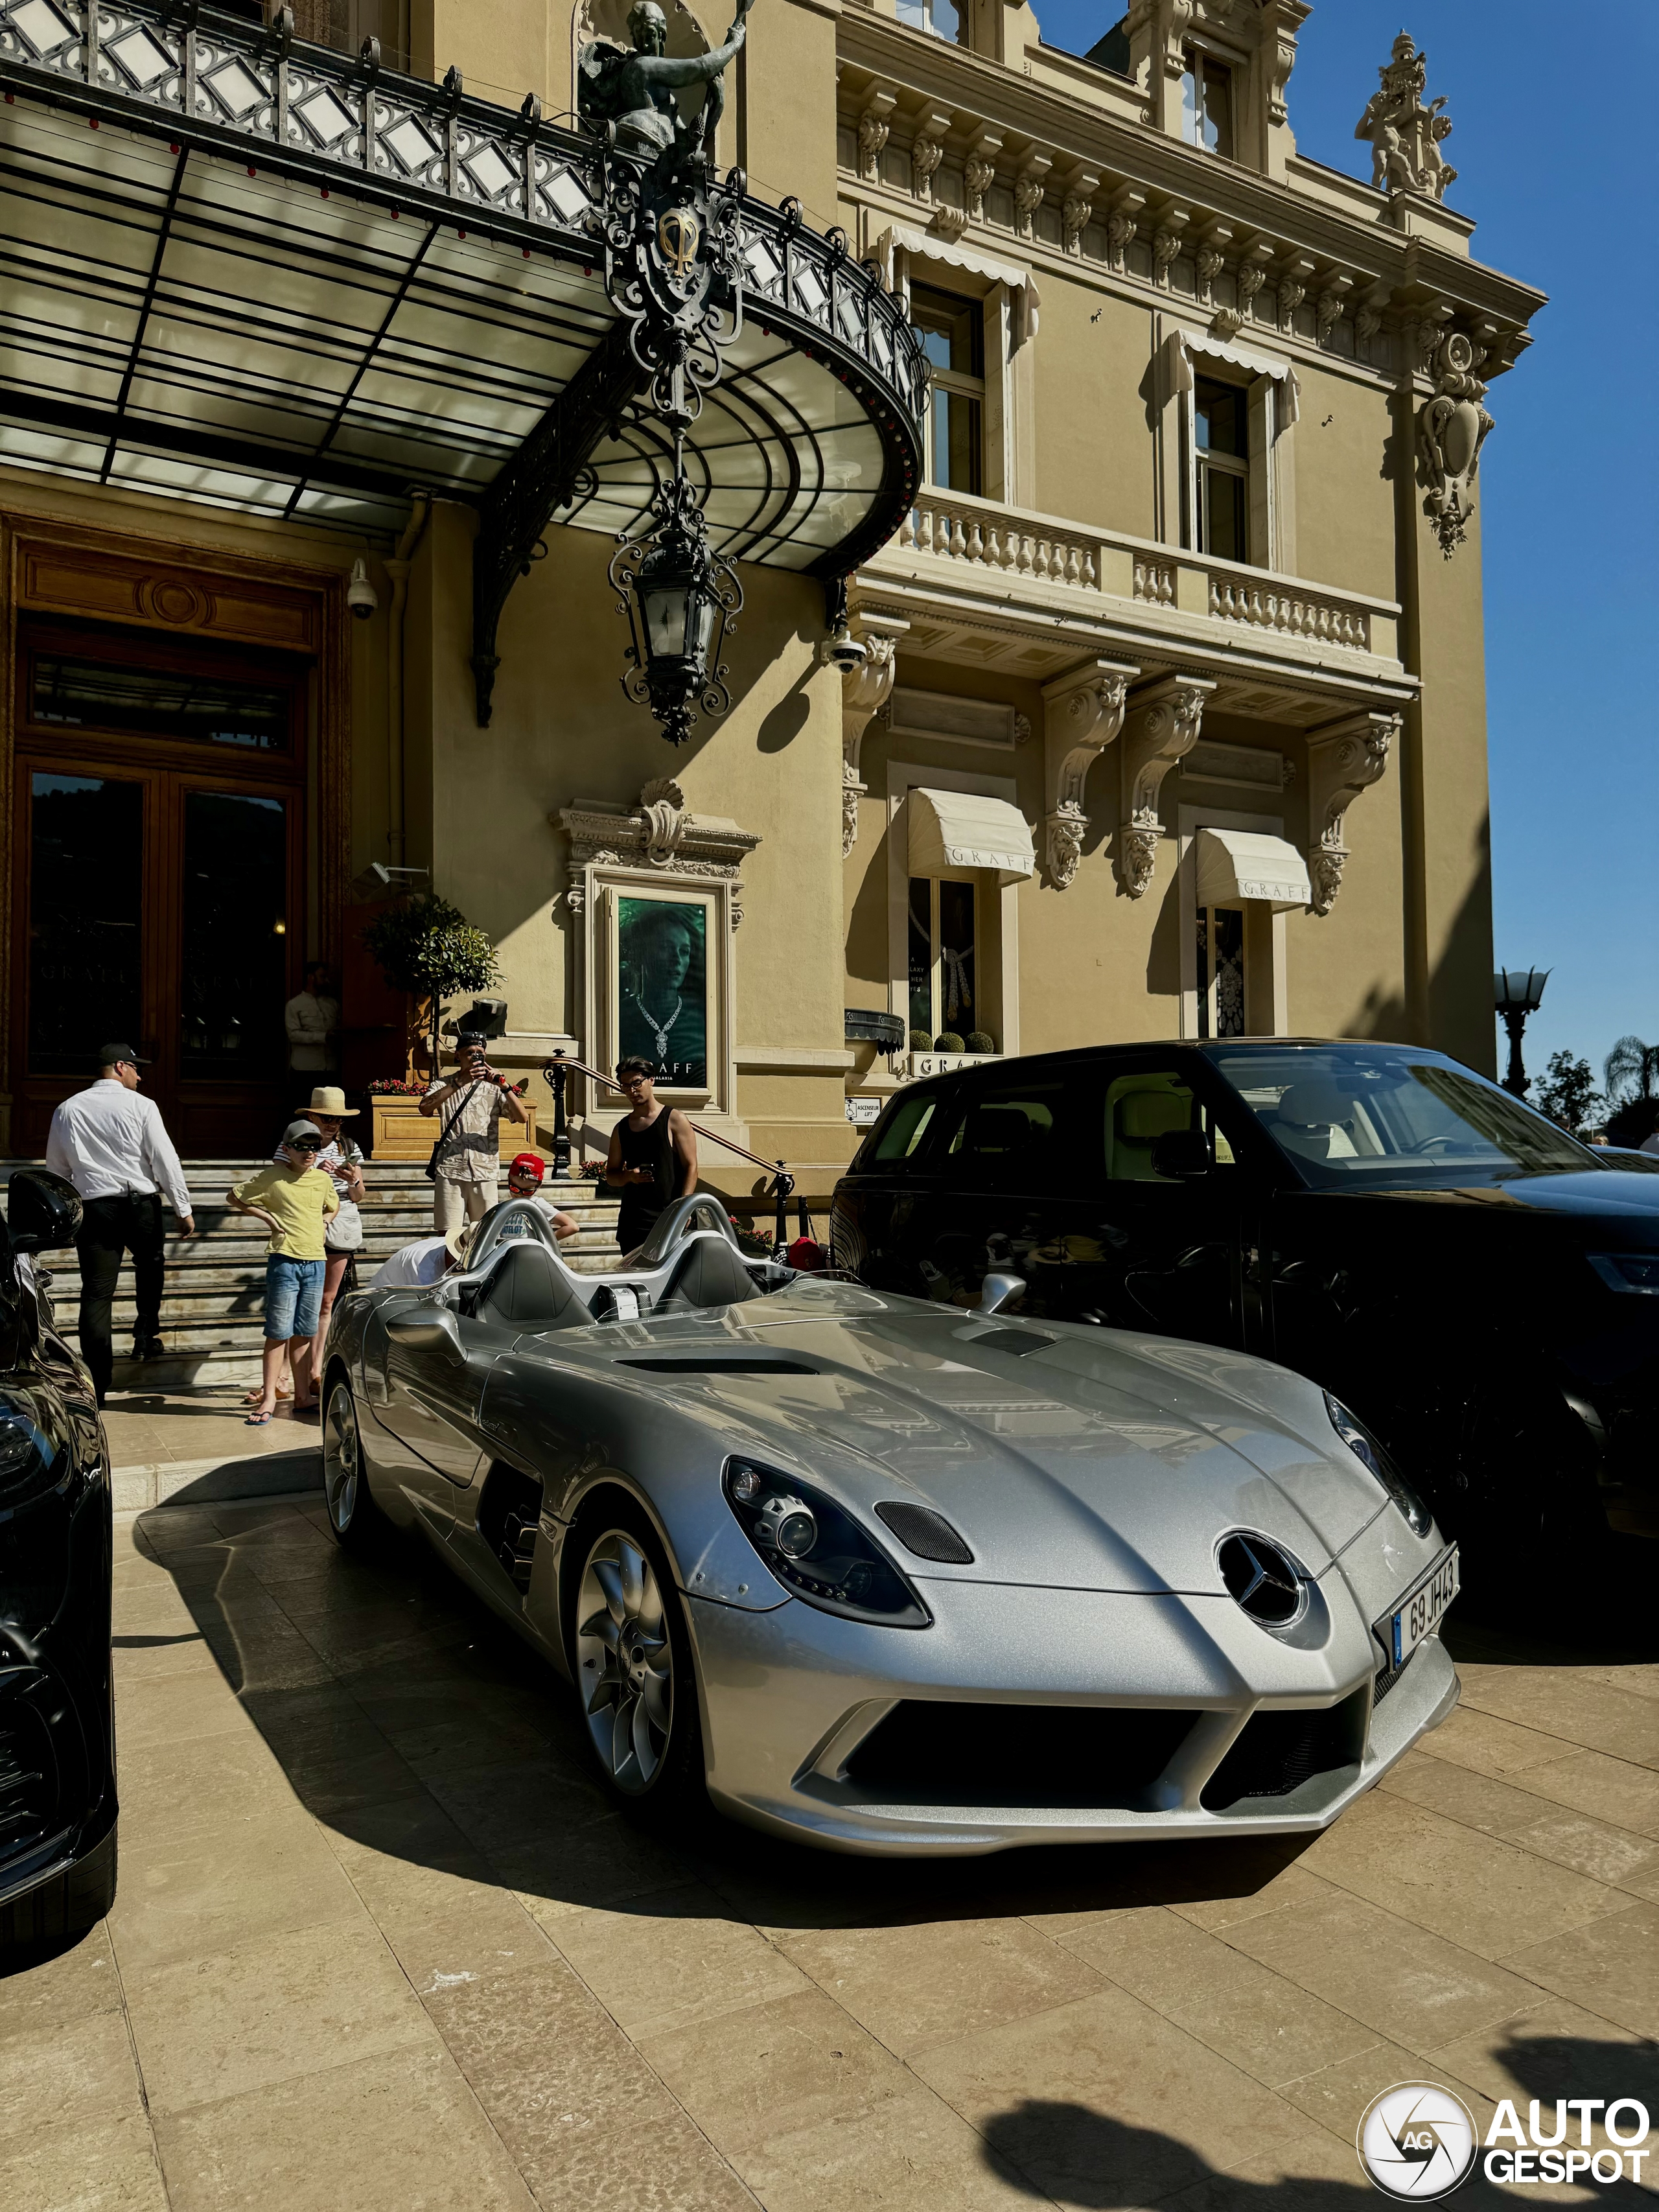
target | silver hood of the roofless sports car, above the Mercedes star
[{"x": 1065, "y": 1457}]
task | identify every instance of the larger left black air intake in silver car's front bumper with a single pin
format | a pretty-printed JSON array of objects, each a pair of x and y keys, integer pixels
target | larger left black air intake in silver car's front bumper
[{"x": 939, "y": 1753}]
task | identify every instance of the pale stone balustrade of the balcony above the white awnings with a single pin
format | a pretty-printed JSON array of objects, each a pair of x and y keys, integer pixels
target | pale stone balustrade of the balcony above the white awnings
[{"x": 972, "y": 534}]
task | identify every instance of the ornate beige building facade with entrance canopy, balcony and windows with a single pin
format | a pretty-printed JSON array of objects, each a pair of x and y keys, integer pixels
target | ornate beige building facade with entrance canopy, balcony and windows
[{"x": 1118, "y": 678}]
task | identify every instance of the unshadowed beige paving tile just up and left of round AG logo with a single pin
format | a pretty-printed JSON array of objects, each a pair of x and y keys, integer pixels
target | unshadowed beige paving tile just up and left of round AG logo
[{"x": 1235, "y": 2005}]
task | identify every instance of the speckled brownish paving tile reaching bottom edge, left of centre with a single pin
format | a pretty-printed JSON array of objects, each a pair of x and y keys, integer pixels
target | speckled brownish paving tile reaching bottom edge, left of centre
[{"x": 576, "y": 2105}]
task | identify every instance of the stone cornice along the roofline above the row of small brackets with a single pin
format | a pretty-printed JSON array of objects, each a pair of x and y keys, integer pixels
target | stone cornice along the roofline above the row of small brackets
[{"x": 1030, "y": 114}]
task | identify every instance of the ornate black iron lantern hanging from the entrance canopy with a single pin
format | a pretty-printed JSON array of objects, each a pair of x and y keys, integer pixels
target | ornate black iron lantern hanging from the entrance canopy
[{"x": 680, "y": 603}]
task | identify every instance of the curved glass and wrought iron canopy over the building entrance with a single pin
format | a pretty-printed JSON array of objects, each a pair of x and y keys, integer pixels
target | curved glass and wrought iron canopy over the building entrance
[{"x": 273, "y": 344}]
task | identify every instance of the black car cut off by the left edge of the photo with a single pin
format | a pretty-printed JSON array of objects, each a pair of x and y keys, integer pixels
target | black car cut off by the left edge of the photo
[{"x": 56, "y": 1720}]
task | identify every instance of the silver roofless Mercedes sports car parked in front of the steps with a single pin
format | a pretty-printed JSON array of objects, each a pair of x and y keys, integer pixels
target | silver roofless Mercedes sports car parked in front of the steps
[{"x": 893, "y": 1576}]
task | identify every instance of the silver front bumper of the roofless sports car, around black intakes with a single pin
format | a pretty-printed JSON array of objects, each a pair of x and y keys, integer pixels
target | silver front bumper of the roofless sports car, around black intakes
[{"x": 793, "y": 1693}]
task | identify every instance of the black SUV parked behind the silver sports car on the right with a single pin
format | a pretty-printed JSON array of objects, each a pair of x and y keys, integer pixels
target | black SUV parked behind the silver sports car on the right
[{"x": 1474, "y": 1282}]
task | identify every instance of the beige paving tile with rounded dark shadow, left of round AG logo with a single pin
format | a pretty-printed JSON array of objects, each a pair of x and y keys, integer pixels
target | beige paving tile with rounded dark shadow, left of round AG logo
[{"x": 1105, "y": 2100}]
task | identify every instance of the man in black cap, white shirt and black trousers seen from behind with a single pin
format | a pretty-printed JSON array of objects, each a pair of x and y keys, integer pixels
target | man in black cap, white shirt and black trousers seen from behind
[{"x": 114, "y": 1149}]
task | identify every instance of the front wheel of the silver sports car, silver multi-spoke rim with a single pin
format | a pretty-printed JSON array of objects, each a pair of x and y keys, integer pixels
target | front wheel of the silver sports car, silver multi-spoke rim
[{"x": 632, "y": 1662}]
